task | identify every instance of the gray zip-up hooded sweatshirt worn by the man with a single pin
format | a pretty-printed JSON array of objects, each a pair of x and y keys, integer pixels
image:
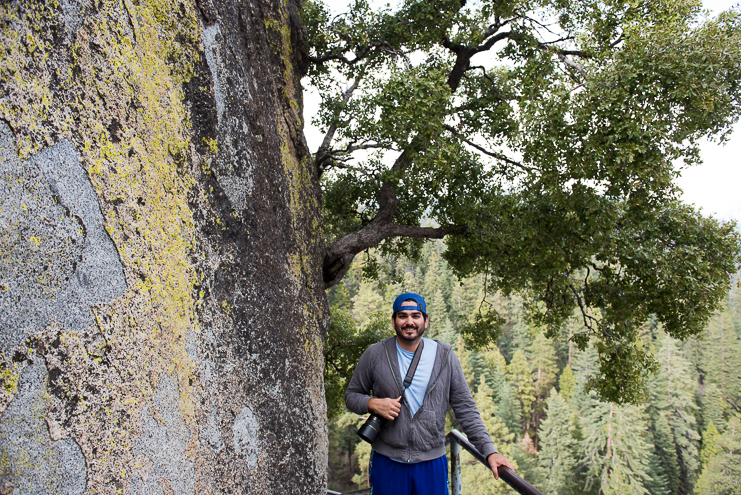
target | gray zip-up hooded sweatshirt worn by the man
[{"x": 420, "y": 437}]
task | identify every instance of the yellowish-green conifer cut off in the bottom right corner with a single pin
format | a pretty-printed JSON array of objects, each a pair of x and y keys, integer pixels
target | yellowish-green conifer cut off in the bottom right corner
[{"x": 722, "y": 473}]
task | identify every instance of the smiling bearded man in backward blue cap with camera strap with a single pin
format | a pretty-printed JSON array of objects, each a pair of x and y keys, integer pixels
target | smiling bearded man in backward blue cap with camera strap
[{"x": 408, "y": 455}]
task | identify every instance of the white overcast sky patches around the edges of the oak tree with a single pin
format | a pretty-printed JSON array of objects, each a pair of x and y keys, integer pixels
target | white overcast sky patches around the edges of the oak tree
[{"x": 714, "y": 186}]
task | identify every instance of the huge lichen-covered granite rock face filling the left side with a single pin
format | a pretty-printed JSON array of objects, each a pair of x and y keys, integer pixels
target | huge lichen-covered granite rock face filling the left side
[{"x": 162, "y": 309}]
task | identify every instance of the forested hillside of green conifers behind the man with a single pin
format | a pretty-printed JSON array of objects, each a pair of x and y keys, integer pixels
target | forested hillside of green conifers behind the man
[{"x": 685, "y": 437}]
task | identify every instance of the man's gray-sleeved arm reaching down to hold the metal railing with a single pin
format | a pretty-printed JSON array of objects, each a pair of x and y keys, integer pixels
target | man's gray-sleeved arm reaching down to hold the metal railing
[{"x": 469, "y": 417}]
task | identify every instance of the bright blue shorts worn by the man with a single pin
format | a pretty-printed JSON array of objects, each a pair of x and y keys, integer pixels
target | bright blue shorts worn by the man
[{"x": 389, "y": 477}]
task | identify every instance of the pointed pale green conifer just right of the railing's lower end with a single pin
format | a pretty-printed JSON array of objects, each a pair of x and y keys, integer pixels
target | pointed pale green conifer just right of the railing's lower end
[{"x": 558, "y": 446}]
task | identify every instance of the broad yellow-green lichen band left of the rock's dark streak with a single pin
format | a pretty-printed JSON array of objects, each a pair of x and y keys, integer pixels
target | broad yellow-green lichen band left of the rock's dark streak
[{"x": 117, "y": 95}]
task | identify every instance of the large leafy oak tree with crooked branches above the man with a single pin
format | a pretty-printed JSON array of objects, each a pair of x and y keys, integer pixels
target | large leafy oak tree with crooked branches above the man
[{"x": 540, "y": 138}]
